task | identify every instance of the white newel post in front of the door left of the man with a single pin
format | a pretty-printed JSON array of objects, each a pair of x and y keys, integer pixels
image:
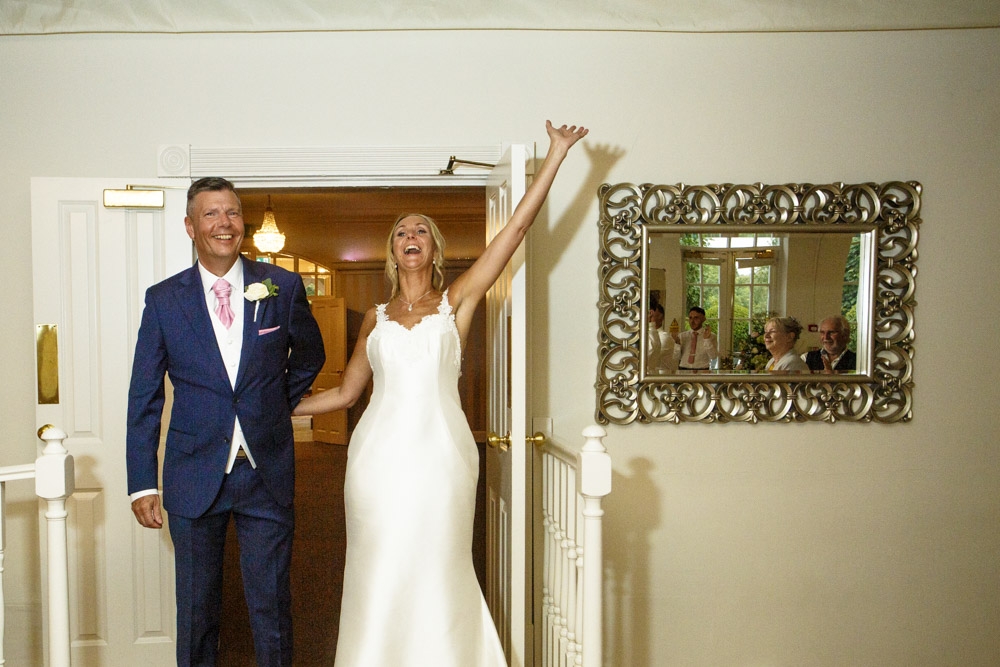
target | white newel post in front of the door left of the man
[{"x": 54, "y": 483}]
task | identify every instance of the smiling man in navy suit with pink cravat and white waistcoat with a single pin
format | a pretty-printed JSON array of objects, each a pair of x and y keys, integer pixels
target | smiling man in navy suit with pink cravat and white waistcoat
[{"x": 241, "y": 348}]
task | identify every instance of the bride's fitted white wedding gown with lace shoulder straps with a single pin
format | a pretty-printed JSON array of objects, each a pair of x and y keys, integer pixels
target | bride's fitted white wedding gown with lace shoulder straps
[{"x": 411, "y": 597}]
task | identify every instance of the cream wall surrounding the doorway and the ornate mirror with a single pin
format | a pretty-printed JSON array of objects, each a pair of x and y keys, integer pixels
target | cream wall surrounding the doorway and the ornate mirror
[{"x": 802, "y": 544}]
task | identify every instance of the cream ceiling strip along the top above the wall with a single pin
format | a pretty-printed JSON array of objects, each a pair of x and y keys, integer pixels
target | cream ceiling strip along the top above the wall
[{"x": 27, "y": 17}]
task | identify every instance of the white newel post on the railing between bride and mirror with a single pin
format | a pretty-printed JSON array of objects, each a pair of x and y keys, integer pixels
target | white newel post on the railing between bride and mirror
[{"x": 595, "y": 484}]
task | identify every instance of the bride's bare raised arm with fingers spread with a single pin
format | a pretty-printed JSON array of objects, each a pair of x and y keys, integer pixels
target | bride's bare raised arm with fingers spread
[{"x": 469, "y": 288}]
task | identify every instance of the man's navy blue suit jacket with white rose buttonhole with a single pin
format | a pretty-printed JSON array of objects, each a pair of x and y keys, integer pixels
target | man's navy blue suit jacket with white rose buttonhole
[{"x": 282, "y": 353}]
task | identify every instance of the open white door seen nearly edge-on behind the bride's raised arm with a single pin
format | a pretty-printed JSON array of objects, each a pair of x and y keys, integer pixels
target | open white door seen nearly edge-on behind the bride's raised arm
[{"x": 507, "y": 468}]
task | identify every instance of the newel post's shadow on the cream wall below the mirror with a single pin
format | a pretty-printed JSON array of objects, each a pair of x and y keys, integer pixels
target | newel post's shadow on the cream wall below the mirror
[{"x": 634, "y": 507}]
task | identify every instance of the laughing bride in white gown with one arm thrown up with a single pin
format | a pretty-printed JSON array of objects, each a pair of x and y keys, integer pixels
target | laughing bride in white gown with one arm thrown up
[{"x": 411, "y": 597}]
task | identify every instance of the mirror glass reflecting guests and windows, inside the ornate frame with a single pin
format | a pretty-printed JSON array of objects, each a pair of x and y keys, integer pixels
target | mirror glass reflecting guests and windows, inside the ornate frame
[{"x": 740, "y": 280}]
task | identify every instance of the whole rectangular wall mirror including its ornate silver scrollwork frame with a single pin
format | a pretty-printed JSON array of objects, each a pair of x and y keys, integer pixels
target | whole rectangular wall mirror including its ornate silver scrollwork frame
[{"x": 807, "y": 293}]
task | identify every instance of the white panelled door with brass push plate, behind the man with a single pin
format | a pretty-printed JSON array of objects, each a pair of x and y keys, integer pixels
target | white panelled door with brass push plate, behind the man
[{"x": 91, "y": 267}]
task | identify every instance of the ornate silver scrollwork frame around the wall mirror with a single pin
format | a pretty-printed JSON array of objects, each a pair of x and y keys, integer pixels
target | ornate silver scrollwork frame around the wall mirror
[{"x": 887, "y": 214}]
